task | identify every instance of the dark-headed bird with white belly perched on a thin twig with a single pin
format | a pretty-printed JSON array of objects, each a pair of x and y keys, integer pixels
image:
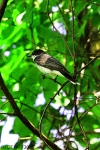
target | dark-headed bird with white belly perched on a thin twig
[{"x": 49, "y": 65}]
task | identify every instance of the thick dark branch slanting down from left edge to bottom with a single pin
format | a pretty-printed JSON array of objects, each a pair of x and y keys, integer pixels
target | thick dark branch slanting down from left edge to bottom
[{"x": 21, "y": 116}]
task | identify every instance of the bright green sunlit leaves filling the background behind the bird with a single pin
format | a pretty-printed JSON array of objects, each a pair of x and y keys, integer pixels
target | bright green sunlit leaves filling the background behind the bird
[{"x": 69, "y": 31}]
